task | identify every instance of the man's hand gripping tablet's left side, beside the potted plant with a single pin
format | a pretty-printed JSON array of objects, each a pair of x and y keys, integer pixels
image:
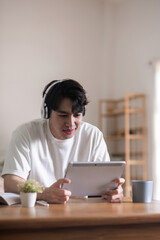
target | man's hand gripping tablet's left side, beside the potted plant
[{"x": 55, "y": 193}]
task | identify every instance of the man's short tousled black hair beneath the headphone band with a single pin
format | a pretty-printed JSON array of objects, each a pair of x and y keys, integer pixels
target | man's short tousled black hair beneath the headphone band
[{"x": 66, "y": 88}]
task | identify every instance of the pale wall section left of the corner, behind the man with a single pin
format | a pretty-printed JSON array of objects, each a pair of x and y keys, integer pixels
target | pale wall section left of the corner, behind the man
[{"x": 42, "y": 40}]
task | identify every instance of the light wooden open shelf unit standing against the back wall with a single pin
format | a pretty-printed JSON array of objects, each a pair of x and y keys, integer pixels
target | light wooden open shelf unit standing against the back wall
[{"x": 129, "y": 113}]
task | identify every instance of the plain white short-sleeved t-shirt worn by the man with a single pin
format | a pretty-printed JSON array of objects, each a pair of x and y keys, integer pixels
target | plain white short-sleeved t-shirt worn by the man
[{"x": 34, "y": 153}]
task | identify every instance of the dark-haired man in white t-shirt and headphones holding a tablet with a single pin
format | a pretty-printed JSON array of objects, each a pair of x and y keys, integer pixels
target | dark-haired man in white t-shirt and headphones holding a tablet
[{"x": 42, "y": 149}]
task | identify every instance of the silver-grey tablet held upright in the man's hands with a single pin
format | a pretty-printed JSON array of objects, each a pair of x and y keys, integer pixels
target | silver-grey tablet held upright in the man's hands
[{"x": 92, "y": 178}]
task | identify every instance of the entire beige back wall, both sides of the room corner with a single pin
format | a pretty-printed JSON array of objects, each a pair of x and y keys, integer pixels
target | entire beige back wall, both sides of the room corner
[{"x": 105, "y": 44}]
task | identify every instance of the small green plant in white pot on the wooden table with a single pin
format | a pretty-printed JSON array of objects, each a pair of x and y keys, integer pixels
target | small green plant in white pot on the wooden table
[{"x": 28, "y": 192}]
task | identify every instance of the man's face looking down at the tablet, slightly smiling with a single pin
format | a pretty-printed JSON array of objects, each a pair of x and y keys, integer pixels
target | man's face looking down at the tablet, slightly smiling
[{"x": 63, "y": 123}]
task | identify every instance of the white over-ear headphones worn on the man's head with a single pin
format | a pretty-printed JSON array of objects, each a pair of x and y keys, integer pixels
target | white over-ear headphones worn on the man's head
[{"x": 44, "y": 108}]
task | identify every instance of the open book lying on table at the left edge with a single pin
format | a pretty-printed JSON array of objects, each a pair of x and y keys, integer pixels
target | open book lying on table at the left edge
[{"x": 9, "y": 198}]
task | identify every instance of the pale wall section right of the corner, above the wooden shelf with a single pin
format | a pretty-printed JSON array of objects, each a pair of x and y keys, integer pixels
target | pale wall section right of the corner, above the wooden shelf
[{"x": 137, "y": 43}]
